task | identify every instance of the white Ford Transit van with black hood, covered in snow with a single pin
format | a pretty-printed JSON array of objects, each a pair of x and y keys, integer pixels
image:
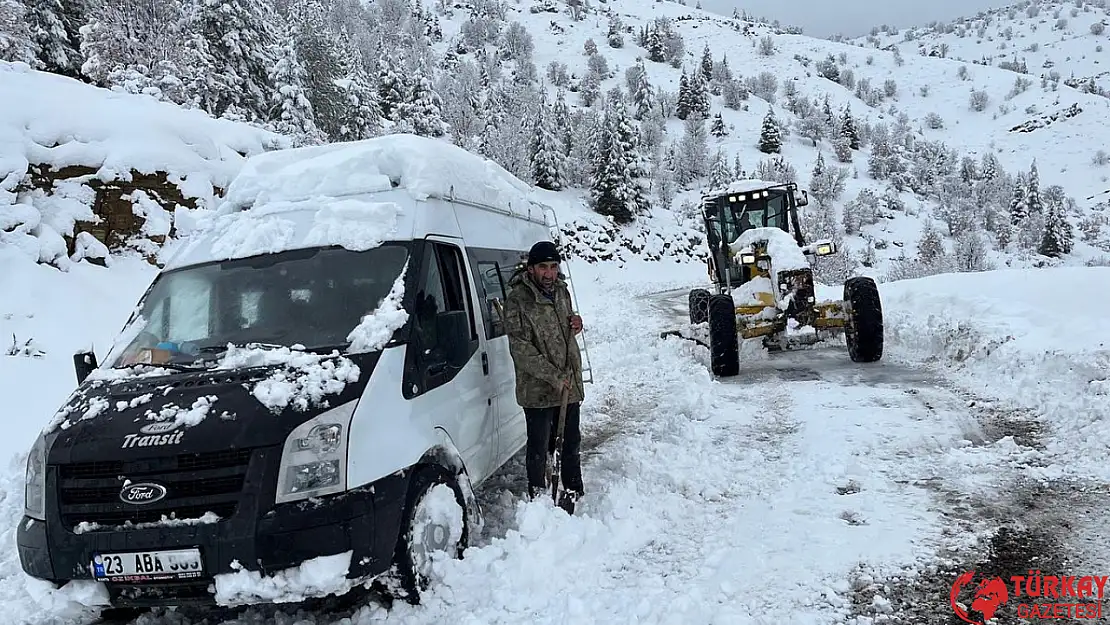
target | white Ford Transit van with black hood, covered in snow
[{"x": 295, "y": 386}]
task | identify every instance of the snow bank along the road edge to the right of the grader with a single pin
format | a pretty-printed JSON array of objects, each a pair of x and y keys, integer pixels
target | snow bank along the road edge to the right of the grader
[{"x": 1036, "y": 339}]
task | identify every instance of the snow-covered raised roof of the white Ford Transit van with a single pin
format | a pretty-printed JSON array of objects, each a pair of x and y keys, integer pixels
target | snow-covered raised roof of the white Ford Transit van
[{"x": 361, "y": 194}]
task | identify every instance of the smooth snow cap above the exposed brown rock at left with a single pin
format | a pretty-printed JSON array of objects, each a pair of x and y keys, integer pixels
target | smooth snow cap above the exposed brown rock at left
[{"x": 59, "y": 122}]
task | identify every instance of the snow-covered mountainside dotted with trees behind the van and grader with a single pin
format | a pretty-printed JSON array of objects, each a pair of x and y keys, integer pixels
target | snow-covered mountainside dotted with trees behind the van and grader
[{"x": 946, "y": 166}]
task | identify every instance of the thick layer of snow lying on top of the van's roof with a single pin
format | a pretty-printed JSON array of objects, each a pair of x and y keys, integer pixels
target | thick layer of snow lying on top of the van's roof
[{"x": 423, "y": 167}]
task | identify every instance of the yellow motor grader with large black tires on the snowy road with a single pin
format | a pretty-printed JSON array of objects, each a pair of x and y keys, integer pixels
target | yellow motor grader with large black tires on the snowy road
[{"x": 763, "y": 284}]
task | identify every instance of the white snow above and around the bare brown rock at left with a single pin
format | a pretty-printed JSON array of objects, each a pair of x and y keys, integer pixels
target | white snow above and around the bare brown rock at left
[{"x": 56, "y": 122}]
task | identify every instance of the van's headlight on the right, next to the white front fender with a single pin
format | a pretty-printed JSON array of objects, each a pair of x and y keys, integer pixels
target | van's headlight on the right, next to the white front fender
[{"x": 314, "y": 461}]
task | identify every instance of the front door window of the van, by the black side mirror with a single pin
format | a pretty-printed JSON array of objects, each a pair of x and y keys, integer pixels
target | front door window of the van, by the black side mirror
[{"x": 446, "y": 336}]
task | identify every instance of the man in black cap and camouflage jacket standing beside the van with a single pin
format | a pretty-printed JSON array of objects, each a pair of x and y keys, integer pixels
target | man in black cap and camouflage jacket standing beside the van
[{"x": 542, "y": 325}]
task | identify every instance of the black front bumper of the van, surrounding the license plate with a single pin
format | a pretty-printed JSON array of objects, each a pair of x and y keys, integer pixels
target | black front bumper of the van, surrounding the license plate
[{"x": 265, "y": 539}]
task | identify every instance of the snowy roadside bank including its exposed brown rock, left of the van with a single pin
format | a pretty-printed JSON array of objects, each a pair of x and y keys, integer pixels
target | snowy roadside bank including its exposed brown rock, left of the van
[{"x": 76, "y": 160}]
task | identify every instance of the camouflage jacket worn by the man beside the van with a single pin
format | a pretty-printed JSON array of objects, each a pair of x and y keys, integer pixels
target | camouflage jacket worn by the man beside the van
[{"x": 542, "y": 344}]
